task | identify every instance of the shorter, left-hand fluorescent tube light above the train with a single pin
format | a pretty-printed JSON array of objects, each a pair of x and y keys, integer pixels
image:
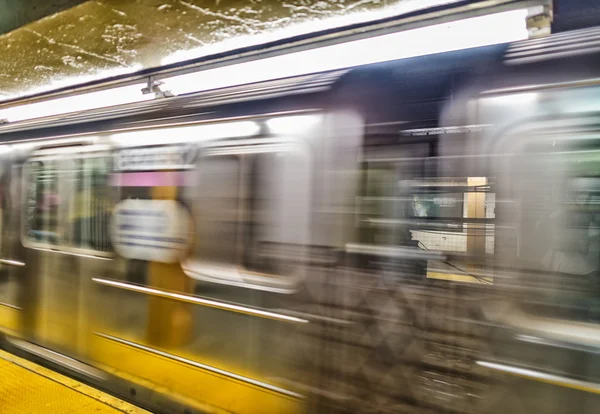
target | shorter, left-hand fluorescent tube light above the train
[{"x": 77, "y": 103}]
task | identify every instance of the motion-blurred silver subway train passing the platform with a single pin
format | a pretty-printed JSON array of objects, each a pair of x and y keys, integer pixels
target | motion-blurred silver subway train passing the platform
[{"x": 412, "y": 236}]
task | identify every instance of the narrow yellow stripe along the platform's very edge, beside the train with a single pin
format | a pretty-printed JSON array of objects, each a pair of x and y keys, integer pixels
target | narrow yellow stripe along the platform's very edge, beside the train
[{"x": 74, "y": 385}]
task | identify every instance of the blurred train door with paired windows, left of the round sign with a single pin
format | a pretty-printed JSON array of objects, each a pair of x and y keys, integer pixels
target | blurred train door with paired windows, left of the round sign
[{"x": 64, "y": 230}]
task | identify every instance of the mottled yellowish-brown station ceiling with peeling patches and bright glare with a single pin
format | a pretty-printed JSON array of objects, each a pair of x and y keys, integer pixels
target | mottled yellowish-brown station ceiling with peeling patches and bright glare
[{"x": 80, "y": 41}]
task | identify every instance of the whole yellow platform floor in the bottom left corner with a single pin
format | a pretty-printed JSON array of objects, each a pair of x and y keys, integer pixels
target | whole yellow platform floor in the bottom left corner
[{"x": 26, "y": 387}]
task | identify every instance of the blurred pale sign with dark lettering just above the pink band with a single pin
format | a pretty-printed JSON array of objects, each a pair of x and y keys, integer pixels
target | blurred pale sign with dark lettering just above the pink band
[{"x": 168, "y": 157}]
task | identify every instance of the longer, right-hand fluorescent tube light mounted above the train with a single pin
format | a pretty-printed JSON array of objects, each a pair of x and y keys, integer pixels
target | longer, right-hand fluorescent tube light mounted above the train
[{"x": 463, "y": 34}]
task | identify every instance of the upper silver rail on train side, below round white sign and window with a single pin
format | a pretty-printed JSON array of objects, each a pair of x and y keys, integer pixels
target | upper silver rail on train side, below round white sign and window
[{"x": 196, "y": 300}]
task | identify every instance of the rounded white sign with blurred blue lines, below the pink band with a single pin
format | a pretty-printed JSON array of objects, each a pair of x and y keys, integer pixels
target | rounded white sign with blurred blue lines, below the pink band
[{"x": 152, "y": 230}]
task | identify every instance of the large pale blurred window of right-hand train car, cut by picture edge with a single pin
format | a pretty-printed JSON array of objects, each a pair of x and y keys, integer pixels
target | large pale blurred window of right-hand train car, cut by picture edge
[{"x": 553, "y": 181}]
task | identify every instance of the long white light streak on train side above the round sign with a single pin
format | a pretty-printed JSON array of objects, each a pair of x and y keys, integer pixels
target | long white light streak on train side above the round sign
[{"x": 186, "y": 134}]
